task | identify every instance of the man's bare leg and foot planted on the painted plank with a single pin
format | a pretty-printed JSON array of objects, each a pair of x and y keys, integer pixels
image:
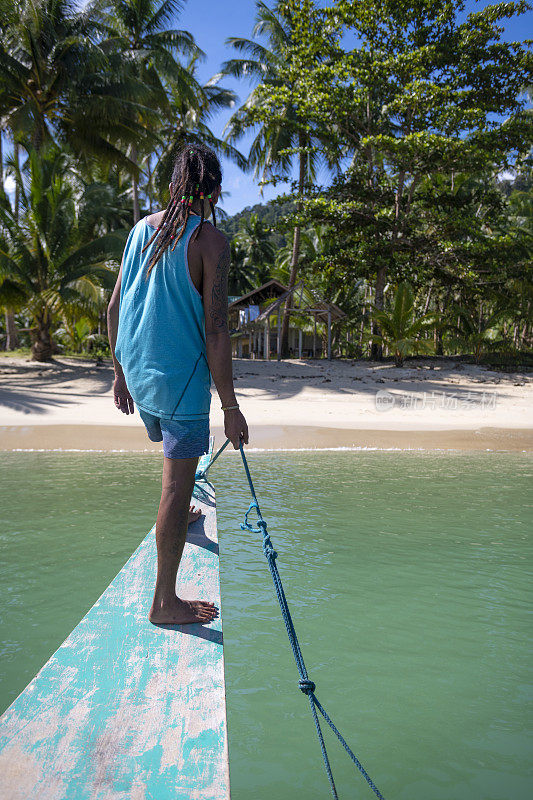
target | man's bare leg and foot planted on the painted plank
[{"x": 171, "y": 531}]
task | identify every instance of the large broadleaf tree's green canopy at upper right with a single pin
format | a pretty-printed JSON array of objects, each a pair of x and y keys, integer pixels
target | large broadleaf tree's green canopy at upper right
[{"x": 426, "y": 110}]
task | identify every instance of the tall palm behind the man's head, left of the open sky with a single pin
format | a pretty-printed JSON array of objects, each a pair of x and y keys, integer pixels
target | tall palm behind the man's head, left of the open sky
[{"x": 137, "y": 29}]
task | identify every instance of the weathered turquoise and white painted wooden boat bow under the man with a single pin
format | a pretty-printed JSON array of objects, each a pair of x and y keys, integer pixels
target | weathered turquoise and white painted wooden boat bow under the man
[{"x": 125, "y": 710}]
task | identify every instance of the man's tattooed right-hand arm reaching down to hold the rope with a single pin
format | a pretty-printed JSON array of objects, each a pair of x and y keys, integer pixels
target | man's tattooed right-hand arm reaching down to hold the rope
[{"x": 215, "y": 262}]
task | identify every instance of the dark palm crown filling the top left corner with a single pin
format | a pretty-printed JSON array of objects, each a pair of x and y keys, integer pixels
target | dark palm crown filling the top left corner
[{"x": 57, "y": 84}]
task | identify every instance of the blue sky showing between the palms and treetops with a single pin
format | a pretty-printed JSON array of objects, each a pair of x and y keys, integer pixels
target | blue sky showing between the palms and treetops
[{"x": 211, "y": 22}]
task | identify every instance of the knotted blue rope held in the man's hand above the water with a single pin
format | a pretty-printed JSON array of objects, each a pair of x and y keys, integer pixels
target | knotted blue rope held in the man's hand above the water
[{"x": 306, "y": 685}]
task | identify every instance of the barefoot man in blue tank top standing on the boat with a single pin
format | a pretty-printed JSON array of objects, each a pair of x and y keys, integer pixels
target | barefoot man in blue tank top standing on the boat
[{"x": 168, "y": 332}]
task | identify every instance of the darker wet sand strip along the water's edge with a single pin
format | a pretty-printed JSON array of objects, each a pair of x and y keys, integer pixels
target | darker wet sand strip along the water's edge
[{"x": 266, "y": 438}]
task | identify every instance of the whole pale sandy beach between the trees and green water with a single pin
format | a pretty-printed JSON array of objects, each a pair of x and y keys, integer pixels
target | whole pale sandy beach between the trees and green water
[{"x": 429, "y": 404}]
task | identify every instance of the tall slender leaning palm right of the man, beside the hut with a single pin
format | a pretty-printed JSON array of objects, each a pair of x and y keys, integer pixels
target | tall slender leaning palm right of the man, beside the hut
[{"x": 269, "y": 150}]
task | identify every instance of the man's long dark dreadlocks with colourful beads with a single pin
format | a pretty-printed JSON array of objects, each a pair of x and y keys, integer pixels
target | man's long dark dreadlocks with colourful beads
[{"x": 196, "y": 175}]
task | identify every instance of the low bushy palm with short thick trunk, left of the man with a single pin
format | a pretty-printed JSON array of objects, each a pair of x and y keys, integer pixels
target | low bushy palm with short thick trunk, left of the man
[{"x": 43, "y": 262}]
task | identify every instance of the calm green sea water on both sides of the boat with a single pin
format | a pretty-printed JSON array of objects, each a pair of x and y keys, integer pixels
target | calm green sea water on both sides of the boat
[{"x": 407, "y": 574}]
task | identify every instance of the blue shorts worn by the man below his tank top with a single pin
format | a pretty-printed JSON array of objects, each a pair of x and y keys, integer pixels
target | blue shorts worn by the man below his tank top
[{"x": 181, "y": 438}]
